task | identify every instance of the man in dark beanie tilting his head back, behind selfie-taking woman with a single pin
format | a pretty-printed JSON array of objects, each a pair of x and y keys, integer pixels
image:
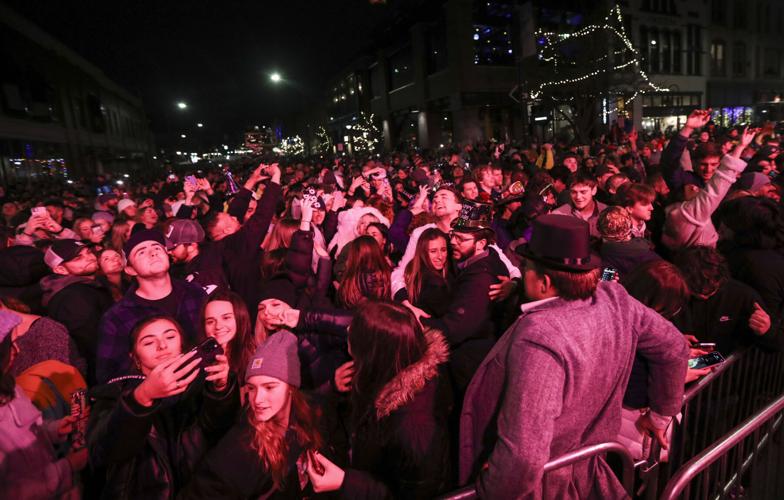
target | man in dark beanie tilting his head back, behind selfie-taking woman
[{"x": 154, "y": 293}]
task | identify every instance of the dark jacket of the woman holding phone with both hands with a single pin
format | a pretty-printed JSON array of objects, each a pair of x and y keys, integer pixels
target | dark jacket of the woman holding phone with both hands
[{"x": 151, "y": 452}]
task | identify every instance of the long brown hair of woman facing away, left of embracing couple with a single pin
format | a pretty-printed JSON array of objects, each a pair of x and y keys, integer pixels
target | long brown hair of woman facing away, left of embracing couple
[{"x": 367, "y": 274}]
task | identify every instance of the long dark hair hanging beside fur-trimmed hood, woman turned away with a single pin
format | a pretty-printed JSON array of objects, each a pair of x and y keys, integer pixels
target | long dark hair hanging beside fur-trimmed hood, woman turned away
[{"x": 385, "y": 338}]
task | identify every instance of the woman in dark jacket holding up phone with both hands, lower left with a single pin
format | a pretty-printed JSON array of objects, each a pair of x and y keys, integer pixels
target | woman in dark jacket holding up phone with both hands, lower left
[{"x": 150, "y": 428}]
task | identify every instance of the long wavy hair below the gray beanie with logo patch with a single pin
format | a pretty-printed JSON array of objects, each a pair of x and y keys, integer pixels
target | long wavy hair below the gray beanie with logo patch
[{"x": 269, "y": 438}]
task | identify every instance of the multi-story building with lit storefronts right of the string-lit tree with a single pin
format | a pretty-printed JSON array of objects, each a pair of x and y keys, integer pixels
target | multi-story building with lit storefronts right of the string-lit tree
[{"x": 722, "y": 54}]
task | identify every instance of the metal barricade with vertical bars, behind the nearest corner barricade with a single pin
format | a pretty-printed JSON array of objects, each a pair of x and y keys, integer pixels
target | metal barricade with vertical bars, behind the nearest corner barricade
[{"x": 740, "y": 387}]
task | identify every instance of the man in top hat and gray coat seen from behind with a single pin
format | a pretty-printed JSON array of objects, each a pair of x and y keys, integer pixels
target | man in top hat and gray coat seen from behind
[{"x": 555, "y": 381}]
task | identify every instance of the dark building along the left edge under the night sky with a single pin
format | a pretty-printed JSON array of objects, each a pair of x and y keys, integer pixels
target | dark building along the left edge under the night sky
[{"x": 59, "y": 113}]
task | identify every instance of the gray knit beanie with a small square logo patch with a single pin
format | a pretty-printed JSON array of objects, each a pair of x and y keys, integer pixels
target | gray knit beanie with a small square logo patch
[{"x": 276, "y": 357}]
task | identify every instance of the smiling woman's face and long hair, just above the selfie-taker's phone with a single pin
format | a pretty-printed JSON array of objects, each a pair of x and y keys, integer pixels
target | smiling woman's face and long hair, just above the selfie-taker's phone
[{"x": 225, "y": 318}]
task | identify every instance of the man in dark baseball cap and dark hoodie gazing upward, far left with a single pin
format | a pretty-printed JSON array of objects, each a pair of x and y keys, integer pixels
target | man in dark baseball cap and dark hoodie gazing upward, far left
[{"x": 74, "y": 297}]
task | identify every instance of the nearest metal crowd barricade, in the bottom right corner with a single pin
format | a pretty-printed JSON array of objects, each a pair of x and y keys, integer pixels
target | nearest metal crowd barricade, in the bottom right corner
[{"x": 746, "y": 463}]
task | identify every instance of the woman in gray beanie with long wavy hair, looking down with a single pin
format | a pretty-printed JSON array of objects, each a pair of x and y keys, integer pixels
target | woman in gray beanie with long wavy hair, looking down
[{"x": 260, "y": 455}]
